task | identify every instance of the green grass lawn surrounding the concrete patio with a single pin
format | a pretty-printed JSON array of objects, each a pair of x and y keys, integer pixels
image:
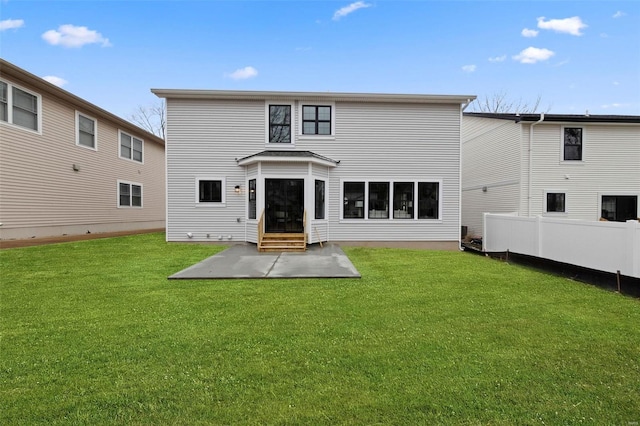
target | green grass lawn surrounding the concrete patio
[{"x": 94, "y": 333}]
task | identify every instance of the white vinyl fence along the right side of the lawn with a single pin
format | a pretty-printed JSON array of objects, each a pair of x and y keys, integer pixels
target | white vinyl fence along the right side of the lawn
[{"x": 604, "y": 246}]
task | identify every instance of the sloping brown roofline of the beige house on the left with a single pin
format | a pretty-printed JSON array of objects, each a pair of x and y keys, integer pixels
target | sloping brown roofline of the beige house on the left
[{"x": 11, "y": 71}]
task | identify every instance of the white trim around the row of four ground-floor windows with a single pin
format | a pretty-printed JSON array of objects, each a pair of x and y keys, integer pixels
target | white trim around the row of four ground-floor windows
[{"x": 391, "y": 182}]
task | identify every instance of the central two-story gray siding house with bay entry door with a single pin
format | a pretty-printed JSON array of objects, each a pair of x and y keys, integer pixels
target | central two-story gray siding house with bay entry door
[{"x": 340, "y": 167}]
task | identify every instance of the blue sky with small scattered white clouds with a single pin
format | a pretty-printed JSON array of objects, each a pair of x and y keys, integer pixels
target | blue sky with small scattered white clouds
[{"x": 576, "y": 56}]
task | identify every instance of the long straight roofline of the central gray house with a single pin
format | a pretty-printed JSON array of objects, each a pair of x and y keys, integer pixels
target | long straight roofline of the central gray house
[{"x": 325, "y": 96}]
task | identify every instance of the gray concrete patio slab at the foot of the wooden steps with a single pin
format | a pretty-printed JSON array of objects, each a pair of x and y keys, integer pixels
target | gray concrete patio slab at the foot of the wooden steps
[{"x": 244, "y": 261}]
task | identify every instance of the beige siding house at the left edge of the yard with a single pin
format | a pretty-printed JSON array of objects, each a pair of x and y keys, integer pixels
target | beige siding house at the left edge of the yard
[{"x": 70, "y": 167}]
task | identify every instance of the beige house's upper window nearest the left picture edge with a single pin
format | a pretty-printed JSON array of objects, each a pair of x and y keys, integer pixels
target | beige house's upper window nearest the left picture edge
[{"x": 19, "y": 107}]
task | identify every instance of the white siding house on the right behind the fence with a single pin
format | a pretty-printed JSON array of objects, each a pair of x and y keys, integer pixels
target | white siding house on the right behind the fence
[{"x": 564, "y": 166}]
